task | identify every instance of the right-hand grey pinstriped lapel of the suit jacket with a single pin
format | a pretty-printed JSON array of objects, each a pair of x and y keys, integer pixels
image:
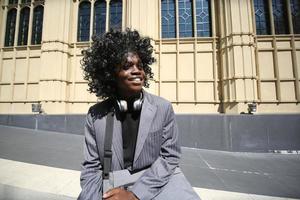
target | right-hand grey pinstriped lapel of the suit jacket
[{"x": 147, "y": 115}]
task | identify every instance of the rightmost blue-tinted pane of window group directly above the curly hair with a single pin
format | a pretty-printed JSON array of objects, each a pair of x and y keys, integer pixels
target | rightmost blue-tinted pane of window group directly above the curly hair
[{"x": 115, "y": 14}]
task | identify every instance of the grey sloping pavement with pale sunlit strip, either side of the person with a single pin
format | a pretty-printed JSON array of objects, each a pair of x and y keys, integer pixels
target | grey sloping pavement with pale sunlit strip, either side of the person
[{"x": 45, "y": 165}]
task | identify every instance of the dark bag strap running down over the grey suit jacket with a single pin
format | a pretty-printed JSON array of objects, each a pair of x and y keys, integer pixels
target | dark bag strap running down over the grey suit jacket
[{"x": 107, "y": 145}]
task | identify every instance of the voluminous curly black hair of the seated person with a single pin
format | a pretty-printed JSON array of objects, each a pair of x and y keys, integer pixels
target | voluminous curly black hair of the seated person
[{"x": 100, "y": 61}]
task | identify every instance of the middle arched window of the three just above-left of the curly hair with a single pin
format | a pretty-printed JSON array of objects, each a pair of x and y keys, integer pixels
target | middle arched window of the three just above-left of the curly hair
[{"x": 99, "y": 17}]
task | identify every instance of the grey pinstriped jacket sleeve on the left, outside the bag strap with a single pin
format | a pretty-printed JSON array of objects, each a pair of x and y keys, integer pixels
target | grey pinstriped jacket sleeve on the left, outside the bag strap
[{"x": 91, "y": 173}]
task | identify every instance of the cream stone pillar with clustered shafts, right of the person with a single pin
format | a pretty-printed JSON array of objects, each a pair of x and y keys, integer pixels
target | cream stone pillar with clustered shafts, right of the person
[{"x": 237, "y": 55}]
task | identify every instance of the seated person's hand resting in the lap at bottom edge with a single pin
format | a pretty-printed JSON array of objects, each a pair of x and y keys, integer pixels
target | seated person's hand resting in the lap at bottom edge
[{"x": 119, "y": 194}]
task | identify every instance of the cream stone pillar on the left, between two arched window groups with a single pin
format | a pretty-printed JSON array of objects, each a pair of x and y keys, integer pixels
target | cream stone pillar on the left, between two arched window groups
[{"x": 54, "y": 56}]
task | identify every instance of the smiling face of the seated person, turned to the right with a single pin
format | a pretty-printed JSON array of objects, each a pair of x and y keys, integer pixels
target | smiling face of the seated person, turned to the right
[{"x": 130, "y": 76}]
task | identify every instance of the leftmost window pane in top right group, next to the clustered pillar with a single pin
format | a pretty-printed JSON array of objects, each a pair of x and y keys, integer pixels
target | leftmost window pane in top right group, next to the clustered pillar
[{"x": 262, "y": 17}]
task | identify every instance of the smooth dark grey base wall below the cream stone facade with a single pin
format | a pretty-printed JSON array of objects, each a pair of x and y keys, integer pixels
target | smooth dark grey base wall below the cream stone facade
[{"x": 254, "y": 133}]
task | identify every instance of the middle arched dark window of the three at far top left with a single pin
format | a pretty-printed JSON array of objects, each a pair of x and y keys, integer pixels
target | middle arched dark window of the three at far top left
[{"x": 23, "y": 26}]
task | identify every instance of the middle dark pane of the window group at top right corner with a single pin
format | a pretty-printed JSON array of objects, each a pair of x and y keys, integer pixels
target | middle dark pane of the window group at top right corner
[{"x": 280, "y": 16}]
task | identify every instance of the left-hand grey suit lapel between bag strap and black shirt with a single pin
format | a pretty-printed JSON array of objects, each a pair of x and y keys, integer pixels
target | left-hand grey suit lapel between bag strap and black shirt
[{"x": 118, "y": 141}]
